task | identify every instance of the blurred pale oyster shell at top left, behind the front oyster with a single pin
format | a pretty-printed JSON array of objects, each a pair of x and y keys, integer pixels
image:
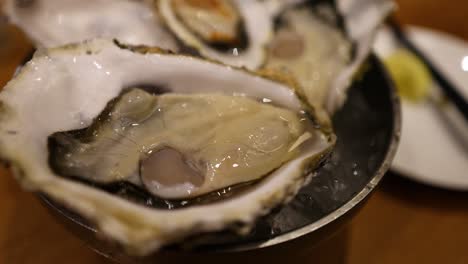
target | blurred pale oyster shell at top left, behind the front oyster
[{"x": 51, "y": 23}]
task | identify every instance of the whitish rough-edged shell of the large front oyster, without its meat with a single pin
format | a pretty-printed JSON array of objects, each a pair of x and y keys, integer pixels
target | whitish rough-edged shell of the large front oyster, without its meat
[{"x": 66, "y": 88}]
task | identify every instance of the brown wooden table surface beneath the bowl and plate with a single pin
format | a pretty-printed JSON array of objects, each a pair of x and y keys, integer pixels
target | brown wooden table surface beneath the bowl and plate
[{"x": 403, "y": 222}]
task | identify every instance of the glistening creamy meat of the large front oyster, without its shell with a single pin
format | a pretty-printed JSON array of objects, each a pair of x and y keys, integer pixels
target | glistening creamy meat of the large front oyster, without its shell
[{"x": 181, "y": 155}]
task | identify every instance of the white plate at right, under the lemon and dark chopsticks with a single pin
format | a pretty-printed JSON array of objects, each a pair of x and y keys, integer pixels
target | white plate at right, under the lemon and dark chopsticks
[{"x": 434, "y": 142}]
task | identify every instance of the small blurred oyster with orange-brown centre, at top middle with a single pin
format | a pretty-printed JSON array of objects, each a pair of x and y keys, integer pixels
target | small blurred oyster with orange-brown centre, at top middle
[{"x": 234, "y": 32}]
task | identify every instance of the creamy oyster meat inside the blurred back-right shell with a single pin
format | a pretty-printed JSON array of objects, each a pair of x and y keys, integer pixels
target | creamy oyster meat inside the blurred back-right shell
[{"x": 313, "y": 51}]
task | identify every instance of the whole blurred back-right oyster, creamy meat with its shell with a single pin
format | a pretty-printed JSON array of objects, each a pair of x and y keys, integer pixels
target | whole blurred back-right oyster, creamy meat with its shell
[{"x": 323, "y": 44}]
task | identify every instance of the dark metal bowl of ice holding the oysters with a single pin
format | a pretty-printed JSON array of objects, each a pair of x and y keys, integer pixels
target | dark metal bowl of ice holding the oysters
[{"x": 368, "y": 129}]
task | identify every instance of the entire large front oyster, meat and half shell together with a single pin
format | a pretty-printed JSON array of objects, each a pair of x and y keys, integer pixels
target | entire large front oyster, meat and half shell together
[{"x": 224, "y": 145}]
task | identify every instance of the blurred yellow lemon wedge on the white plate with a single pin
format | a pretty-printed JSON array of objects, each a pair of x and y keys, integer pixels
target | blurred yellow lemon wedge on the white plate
[{"x": 412, "y": 78}]
